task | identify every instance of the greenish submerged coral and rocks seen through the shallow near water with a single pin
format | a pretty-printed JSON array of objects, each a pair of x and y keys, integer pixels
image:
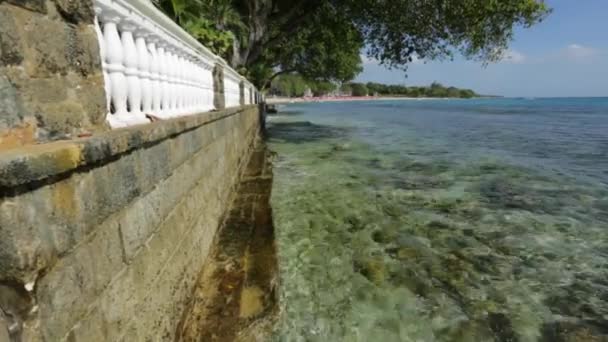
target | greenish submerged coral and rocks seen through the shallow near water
[{"x": 375, "y": 245}]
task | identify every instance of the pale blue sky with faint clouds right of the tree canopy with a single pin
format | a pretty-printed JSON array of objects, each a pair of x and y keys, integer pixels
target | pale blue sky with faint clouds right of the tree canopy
[{"x": 565, "y": 55}]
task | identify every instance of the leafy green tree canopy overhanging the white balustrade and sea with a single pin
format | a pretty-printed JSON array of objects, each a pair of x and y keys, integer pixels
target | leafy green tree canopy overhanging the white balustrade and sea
[{"x": 322, "y": 39}]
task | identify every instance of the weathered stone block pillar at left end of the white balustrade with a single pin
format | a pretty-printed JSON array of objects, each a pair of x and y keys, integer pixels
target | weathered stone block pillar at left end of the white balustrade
[{"x": 51, "y": 83}]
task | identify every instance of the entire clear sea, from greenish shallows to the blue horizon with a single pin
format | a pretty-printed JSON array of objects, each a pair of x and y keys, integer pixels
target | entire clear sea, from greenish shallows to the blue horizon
[{"x": 442, "y": 220}]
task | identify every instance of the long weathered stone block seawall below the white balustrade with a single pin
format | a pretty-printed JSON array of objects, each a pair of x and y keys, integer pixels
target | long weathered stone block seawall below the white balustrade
[{"x": 103, "y": 237}]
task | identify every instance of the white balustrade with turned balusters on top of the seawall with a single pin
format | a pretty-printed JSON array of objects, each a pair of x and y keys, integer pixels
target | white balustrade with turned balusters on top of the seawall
[{"x": 154, "y": 69}]
